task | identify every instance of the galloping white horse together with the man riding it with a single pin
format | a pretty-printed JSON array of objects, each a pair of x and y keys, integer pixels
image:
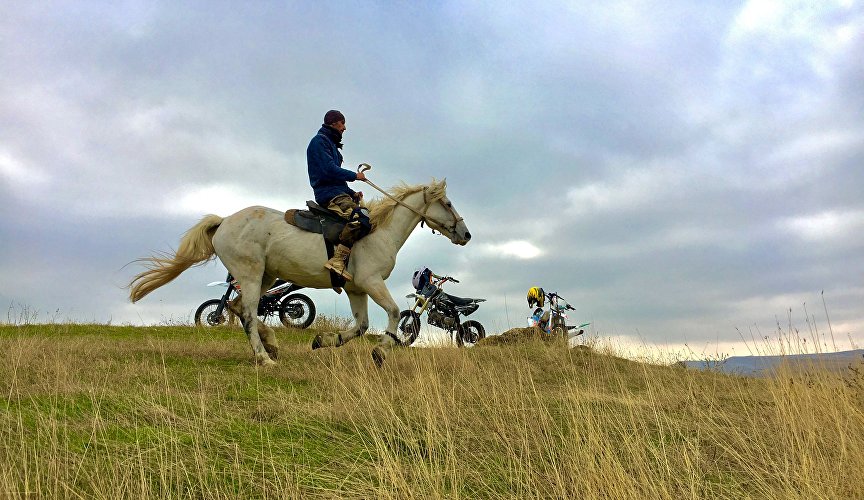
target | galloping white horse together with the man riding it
[{"x": 257, "y": 246}]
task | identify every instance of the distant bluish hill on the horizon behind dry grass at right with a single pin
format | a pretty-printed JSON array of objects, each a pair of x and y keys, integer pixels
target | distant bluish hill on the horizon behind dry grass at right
[{"x": 766, "y": 365}]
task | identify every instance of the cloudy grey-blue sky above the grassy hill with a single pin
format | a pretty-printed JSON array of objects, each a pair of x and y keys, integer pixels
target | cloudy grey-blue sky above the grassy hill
[{"x": 681, "y": 172}]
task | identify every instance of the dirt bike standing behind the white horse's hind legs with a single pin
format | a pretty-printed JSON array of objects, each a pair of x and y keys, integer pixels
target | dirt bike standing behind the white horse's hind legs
[{"x": 294, "y": 311}]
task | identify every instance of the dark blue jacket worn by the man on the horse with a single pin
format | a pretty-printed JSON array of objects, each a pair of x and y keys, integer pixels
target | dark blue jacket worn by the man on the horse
[{"x": 324, "y": 160}]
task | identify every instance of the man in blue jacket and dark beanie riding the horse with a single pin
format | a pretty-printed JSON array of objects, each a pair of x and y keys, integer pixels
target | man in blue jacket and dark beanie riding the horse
[{"x": 330, "y": 183}]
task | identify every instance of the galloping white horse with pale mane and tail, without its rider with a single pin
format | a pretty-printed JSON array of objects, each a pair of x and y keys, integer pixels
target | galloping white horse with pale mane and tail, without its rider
[{"x": 257, "y": 246}]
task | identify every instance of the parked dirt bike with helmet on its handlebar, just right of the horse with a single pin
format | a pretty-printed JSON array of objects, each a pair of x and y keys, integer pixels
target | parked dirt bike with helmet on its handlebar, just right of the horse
[{"x": 443, "y": 310}]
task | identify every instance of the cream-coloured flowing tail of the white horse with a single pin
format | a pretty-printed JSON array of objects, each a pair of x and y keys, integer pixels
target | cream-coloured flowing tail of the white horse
[{"x": 196, "y": 248}]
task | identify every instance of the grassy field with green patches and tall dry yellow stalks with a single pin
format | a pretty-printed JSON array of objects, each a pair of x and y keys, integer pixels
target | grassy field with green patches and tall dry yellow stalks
[{"x": 93, "y": 411}]
